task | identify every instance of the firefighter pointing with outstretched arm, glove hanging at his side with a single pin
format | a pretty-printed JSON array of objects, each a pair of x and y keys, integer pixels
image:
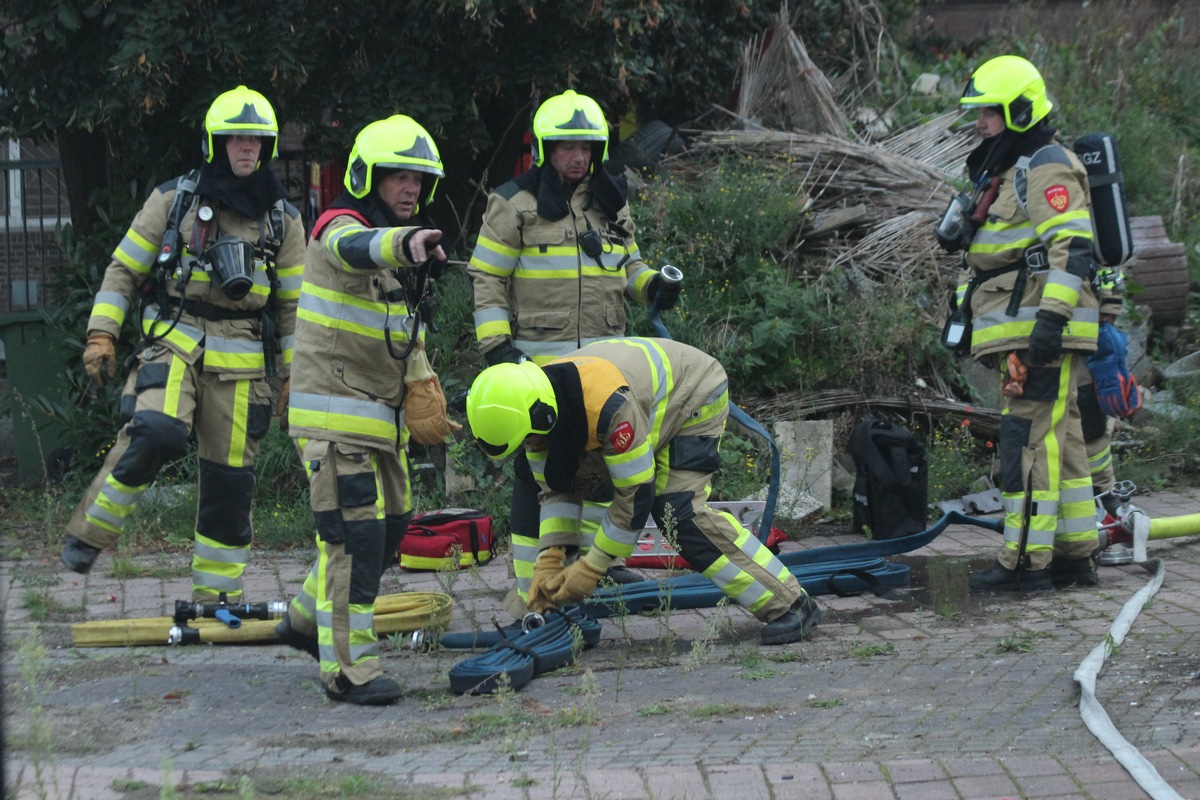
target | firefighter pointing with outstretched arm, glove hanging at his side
[{"x": 362, "y": 387}]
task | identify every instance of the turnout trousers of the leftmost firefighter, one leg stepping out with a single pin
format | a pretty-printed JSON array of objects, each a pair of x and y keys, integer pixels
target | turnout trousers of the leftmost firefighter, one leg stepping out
[{"x": 165, "y": 399}]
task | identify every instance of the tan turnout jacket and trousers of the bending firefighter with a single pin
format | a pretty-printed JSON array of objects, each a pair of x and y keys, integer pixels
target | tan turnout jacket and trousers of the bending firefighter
[{"x": 646, "y": 416}]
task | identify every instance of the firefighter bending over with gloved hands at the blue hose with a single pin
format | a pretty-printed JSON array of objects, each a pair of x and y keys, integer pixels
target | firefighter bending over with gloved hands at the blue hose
[{"x": 645, "y": 418}]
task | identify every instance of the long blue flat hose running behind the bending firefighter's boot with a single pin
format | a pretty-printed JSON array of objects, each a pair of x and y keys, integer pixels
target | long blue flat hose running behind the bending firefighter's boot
[{"x": 841, "y": 570}]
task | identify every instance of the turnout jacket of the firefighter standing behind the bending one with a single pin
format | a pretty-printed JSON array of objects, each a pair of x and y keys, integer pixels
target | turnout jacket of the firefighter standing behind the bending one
[{"x": 535, "y": 282}]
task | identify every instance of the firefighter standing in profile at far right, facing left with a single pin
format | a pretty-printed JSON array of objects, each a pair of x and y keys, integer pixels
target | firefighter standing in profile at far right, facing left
[{"x": 1028, "y": 290}]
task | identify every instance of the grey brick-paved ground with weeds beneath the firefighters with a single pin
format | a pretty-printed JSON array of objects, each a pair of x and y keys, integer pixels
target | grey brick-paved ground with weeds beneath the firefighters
[{"x": 935, "y": 694}]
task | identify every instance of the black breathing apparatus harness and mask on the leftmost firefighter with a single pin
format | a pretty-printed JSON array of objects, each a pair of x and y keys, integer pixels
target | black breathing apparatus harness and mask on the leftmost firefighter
[{"x": 230, "y": 261}]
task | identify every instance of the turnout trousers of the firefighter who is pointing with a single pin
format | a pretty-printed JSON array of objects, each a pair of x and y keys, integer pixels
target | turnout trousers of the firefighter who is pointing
[{"x": 362, "y": 501}]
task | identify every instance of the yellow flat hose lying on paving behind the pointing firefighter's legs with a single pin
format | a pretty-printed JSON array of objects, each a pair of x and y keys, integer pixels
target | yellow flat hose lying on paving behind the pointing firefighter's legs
[{"x": 409, "y": 611}]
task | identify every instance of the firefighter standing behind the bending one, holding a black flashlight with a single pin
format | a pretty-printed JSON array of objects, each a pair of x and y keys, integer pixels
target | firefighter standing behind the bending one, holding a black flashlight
[{"x": 555, "y": 262}]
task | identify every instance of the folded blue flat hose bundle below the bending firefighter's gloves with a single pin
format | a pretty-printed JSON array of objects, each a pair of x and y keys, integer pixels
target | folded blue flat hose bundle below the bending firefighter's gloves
[{"x": 525, "y": 655}]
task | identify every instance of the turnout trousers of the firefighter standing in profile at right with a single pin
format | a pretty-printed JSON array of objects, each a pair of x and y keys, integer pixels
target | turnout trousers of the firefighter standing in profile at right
[{"x": 1046, "y": 482}]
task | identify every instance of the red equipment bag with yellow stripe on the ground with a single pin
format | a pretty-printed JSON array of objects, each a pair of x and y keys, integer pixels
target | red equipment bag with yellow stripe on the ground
[{"x": 447, "y": 539}]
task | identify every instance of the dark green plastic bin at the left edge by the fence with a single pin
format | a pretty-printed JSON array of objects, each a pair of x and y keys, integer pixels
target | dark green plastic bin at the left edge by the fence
[{"x": 33, "y": 369}]
